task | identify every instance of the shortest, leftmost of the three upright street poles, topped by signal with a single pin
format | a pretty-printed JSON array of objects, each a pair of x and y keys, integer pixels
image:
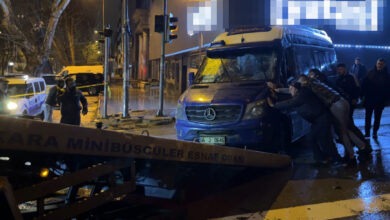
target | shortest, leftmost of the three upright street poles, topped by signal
[{"x": 107, "y": 36}]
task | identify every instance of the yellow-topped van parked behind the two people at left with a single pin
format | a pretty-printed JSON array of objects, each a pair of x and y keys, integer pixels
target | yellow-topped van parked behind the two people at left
[{"x": 88, "y": 78}]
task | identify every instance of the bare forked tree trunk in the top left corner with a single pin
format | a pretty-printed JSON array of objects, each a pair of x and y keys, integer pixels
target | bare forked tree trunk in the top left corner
[{"x": 36, "y": 42}]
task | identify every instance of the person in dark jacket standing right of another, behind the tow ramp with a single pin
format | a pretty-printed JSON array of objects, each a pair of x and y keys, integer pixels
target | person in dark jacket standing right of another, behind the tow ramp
[{"x": 70, "y": 103}]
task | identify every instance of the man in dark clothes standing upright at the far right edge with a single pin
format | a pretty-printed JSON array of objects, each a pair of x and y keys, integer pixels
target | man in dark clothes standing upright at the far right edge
[{"x": 375, "y": 92}]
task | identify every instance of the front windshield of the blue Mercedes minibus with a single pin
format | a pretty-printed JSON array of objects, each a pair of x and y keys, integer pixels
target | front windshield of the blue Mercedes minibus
[{"x": 250, "y": 65}]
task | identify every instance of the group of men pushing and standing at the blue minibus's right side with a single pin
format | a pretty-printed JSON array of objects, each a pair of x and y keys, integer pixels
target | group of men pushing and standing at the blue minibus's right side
[{"x": 329, "y": 107}]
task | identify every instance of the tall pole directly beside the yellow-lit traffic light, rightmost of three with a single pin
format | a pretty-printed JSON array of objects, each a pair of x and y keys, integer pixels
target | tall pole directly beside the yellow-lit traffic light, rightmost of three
[{"x": 160, "y": 112}]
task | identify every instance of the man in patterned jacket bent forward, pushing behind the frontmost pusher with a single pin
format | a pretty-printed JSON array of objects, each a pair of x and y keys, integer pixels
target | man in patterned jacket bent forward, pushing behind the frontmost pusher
[{"x": 339, "y": 108}]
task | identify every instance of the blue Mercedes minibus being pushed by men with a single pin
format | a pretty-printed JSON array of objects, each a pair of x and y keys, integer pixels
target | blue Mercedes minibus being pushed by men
[{"x": 225, "y": 105}]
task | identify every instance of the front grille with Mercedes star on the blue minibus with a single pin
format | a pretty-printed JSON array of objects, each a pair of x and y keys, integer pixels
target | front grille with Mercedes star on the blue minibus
[{"x": 204, "y": 114}]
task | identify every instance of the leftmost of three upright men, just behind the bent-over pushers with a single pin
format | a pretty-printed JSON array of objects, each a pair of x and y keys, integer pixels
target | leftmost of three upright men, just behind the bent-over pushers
[{"x": 348, "y": 87}]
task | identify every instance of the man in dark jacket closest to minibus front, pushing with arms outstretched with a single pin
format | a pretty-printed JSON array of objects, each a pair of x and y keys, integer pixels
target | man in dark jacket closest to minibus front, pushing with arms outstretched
[{"x": 309, "y": 107}]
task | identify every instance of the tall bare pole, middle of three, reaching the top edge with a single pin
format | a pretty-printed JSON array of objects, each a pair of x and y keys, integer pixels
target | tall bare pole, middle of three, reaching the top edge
[{"x": 125, "y": 49}]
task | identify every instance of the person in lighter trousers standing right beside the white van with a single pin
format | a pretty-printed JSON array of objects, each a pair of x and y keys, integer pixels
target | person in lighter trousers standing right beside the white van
[{"x": 51, "y": 100}]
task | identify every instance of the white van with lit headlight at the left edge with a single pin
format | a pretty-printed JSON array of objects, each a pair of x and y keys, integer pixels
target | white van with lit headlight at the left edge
[{"x": 26, "y": 96}]
